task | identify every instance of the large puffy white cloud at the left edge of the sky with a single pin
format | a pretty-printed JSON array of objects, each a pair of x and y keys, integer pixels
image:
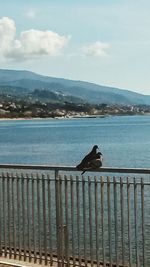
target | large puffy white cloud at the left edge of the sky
[{"x": 30, "y": 44}]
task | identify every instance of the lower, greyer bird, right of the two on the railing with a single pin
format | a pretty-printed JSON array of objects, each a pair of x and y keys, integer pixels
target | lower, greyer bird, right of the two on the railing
[{"x": 94, "y": 163}]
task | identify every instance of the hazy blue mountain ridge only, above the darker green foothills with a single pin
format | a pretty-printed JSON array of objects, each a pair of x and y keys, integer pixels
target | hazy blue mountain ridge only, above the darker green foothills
[{"x": 86, "y": 91}]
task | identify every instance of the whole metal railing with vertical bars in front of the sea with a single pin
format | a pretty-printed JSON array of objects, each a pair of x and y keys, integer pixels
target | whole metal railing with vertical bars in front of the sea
[{"x": 53, "y": 214}]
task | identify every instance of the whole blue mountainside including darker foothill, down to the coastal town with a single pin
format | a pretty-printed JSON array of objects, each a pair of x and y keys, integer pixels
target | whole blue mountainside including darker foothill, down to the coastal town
[{"x": 20, "y": 82}]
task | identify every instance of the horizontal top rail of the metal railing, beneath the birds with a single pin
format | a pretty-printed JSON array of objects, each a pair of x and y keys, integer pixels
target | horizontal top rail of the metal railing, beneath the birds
[{"x": 73, "y": 168}]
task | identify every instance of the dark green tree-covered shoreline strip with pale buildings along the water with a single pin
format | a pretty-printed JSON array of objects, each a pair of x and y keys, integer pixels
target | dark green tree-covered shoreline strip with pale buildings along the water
[{"x": 11, "y": 108}]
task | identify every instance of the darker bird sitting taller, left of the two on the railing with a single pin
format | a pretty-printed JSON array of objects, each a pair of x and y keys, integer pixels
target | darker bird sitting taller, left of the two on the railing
[{"x": 84, "y": 163}]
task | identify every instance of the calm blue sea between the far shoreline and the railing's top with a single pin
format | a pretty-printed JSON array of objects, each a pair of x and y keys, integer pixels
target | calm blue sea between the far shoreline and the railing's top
[{"x": 123, "y": 140}]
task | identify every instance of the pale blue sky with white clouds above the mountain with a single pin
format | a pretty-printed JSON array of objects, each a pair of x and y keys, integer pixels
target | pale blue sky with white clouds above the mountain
[{"x": 101, "y": 41}]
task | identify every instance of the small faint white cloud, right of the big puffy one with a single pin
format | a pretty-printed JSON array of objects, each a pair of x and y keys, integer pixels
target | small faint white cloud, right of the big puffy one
[{"x": 96, "y": 49}]
